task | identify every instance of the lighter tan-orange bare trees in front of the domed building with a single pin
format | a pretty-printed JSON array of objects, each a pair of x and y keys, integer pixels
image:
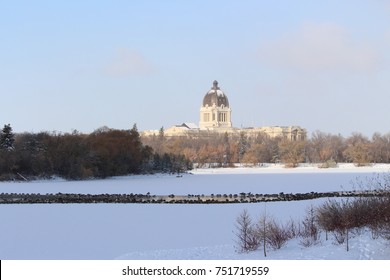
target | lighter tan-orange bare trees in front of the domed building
[{"x": 326, "y": 149}]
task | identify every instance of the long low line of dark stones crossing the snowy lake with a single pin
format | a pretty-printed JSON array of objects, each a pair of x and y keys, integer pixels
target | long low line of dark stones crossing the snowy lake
[{"x": 64, "y": 198}]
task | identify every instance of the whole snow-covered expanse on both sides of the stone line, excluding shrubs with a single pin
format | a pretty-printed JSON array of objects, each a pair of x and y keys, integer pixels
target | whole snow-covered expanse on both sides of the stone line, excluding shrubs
[{"x": 165, "y": 231}]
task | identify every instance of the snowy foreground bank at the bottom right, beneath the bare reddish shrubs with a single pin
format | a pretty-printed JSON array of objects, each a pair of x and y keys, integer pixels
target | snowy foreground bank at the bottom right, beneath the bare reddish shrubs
[{"x": 361, "y": 248}]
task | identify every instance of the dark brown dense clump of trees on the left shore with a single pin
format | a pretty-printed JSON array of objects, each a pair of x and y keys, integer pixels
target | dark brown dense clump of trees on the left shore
[{"x": 105, "y": 152}]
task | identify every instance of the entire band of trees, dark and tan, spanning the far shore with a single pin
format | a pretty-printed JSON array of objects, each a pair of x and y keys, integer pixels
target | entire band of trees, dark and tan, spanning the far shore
[{"x": 111, "y": 152}]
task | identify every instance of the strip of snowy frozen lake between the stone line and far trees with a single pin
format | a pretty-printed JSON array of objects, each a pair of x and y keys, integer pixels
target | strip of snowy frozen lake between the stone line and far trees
[{"x": 273, "y": 179}]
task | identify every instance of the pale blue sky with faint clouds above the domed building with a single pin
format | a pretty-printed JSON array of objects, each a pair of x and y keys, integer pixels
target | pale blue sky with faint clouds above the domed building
[{"x": 321, "y": 65}]
